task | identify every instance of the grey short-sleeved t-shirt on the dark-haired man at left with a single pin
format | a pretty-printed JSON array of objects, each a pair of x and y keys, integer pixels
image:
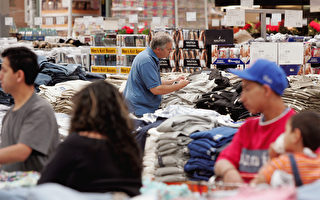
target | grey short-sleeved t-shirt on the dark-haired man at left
[{"x": 35, "y": 125}]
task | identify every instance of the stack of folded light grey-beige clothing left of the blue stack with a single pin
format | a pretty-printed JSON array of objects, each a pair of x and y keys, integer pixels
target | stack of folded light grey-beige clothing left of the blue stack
[{"x": 171, "y": 145}]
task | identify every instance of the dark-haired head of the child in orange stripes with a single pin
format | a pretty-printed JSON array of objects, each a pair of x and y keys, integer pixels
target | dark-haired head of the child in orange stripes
[{"x": 302, "y": 130}]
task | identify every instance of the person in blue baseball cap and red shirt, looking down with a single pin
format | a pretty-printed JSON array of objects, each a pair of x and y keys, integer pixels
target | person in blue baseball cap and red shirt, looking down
[{"x": 262, "y": 86}]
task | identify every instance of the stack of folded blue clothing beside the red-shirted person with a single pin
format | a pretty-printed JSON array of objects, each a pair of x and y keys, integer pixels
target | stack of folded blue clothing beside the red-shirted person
[{"x": 204, "y": 149}]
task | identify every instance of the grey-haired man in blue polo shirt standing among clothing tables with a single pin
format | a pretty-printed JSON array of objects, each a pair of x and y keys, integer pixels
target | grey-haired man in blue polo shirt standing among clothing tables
[{"x": 144, "y": 86}]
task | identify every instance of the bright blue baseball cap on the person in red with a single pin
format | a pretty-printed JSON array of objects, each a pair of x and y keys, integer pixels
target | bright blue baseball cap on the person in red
[{"x": 265, "y": 72}]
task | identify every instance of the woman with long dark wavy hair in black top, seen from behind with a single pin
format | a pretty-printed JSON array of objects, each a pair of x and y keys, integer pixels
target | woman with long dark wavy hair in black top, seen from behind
[{"x": 100, "y": 154}]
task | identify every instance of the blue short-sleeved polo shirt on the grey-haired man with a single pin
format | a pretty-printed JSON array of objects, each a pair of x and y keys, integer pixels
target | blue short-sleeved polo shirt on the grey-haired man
[{"x": 144, "y": 75}]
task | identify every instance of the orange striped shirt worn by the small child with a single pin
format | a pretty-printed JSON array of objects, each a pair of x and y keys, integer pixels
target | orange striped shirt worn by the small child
[{"x": 309, "y": 168}]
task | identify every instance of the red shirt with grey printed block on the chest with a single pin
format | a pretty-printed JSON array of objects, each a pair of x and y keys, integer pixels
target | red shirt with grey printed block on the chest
[{"x": 248, "y": 150}]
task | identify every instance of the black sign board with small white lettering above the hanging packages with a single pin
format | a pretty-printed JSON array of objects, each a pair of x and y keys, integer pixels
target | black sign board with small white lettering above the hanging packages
[{"x": 224, "y": 36}]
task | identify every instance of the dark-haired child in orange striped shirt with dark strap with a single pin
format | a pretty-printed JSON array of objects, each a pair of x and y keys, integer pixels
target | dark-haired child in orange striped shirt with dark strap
[{"x": 300, "y": 164}]
